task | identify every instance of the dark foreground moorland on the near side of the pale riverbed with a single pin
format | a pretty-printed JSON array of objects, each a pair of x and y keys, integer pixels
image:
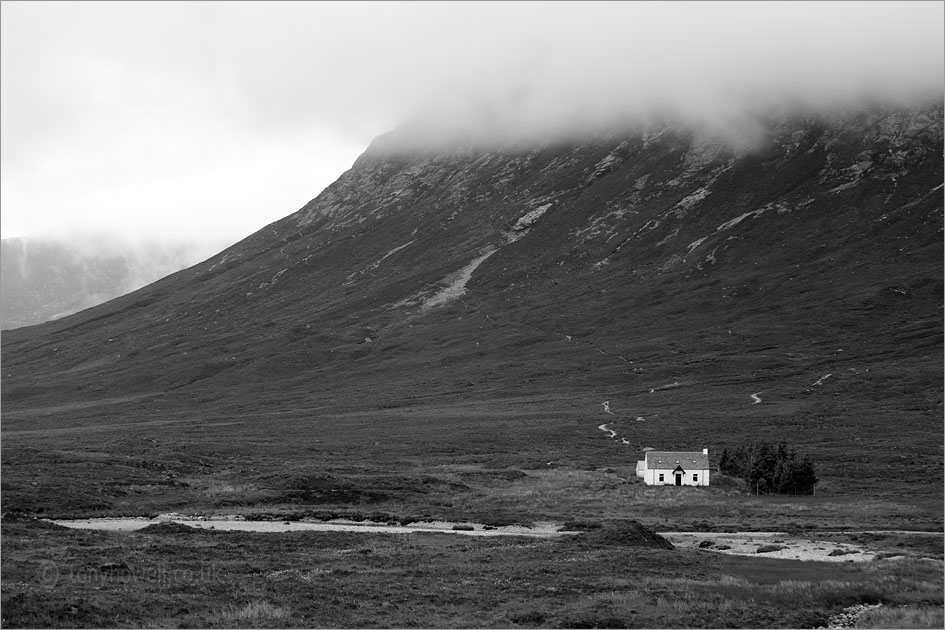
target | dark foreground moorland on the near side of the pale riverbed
[{"x": 175, "y": 577}]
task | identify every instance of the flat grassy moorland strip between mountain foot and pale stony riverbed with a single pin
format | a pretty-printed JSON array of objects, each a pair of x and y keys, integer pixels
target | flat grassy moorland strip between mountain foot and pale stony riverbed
[{"x": 509, "y": 460}]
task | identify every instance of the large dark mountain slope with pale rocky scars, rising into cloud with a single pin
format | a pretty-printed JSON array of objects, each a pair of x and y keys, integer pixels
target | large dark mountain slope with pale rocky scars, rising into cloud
[{"x": 677, "y": 276}]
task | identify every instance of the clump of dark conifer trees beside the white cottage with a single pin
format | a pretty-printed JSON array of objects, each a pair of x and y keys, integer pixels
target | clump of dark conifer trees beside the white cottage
[{"x": 768, "y": 469}]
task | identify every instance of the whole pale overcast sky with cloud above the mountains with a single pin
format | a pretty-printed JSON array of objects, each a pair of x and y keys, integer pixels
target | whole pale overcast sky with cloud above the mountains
[{"x": 211, "y": 120}]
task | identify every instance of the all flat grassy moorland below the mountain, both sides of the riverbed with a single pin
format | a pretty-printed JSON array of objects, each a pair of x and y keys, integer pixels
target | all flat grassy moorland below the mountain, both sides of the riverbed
[{"x": 538, "y": 460}]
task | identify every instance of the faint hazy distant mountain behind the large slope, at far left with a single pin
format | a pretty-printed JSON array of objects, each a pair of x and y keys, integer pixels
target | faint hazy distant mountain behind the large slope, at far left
[{"x": 44, "y": 278}]
